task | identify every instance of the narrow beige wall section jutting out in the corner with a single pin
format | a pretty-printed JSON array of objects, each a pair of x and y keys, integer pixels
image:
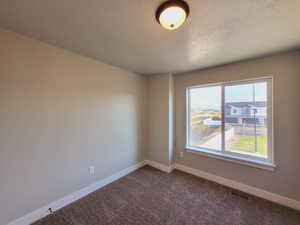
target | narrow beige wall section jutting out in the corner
[{"x": 160, "y": 140}]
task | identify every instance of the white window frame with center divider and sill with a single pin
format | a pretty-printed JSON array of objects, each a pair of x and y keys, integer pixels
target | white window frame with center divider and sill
[{"x": 246, "y": 159}]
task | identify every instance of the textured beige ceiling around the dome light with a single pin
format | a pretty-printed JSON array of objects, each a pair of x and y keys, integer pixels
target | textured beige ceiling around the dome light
[{"x": 125, "y": 33}]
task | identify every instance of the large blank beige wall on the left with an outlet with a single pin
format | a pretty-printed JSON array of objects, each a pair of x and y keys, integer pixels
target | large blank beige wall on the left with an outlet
[{"x": 59, "y": 114}]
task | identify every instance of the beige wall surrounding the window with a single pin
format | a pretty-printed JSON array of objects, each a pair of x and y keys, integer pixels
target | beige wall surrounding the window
[{"x": 285, "y": 69}]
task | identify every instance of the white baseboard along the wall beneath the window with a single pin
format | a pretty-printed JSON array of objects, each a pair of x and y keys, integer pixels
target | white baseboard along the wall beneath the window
[{"x": 291, "y": 203}]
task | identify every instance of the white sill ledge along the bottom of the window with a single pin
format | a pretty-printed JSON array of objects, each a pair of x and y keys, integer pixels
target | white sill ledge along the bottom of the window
[{"x": 232, "y": 158}]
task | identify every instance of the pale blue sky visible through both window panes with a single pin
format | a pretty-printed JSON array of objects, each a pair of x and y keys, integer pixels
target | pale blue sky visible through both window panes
[{"x": 210, "y": 97}]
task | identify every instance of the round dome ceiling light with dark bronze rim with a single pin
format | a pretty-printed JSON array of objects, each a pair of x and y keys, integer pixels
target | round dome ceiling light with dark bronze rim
[{"x": 172, "y": 14}]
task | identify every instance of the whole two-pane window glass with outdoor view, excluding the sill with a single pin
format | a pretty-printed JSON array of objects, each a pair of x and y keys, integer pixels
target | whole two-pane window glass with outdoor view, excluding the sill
[{"x": 232, "y": 118}]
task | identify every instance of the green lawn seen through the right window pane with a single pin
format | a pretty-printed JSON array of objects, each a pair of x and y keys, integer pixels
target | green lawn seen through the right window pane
[{"x": 246, "y": 144}]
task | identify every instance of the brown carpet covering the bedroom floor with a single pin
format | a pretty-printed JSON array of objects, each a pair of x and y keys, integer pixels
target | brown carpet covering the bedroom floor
[{"x": 151, "y": 197}]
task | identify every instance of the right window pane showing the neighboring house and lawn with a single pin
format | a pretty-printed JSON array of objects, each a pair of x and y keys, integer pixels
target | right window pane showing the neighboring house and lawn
[{"x": 246, "y": 119}]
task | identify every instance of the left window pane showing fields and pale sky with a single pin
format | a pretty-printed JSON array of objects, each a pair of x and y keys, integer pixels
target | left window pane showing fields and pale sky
[{"x": 205, "y": 118}]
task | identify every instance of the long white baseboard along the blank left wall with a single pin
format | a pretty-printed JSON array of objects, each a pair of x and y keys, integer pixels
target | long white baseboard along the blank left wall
[{"x": 42, "y": 212}]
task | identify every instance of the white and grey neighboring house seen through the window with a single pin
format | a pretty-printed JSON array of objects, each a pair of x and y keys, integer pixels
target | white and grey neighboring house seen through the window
[{"x": 246, "y": 112}]
